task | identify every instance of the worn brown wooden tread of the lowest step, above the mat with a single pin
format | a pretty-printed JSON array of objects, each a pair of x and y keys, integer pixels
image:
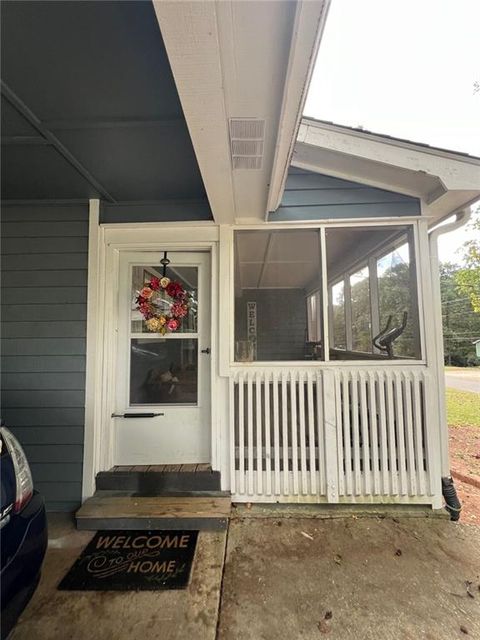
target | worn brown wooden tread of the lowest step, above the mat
[{"x": 155, "y": 507}]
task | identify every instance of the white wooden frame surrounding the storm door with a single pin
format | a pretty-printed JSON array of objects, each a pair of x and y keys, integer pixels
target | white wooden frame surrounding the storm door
[{"x": 106, "y": 242}]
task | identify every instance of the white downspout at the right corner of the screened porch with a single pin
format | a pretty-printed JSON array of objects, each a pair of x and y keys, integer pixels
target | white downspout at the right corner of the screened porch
[{"x": 462, "y": 217}]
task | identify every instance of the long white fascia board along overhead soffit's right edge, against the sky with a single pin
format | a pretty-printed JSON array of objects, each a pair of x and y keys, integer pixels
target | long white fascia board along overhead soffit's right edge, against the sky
[{"x": 308, "y": 29}]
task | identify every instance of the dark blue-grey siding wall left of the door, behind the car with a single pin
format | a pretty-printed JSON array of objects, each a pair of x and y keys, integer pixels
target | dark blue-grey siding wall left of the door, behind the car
[{"x": 44, "y": 293}]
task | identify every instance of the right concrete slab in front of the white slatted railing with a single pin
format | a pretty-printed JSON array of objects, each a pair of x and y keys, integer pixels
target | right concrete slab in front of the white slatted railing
[{"x": 353, "y": 579}]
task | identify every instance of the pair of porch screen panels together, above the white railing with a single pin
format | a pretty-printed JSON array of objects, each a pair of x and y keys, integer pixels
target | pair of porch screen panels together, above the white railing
[{"x": 369, "y": 282}]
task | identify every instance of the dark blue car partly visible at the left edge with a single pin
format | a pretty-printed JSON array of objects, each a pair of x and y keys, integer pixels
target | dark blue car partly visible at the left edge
[{"x": 23, "y": 531}]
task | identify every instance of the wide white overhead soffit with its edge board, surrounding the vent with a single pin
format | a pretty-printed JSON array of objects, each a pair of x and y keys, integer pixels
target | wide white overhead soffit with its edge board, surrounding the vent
[{"x": 241, "y": 60}]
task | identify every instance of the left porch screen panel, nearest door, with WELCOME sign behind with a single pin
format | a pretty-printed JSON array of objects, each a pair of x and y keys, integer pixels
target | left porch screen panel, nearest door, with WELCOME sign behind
[{"x": 278, "y": 309}]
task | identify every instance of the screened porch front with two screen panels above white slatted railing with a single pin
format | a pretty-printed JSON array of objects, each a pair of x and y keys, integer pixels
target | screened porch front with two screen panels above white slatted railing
[{"x": 330, "y": 395}]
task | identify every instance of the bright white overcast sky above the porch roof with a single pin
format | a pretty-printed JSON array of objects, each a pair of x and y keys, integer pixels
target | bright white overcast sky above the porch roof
[{"x": 405, "y": 68}]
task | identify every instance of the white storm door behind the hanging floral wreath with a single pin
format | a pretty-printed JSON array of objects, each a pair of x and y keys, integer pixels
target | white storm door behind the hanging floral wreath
[{"x": 167, "y": 375}]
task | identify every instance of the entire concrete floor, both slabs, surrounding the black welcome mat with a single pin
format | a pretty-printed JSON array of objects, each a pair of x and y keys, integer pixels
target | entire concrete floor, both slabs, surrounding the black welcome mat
[{"x": 384, "y": 578}]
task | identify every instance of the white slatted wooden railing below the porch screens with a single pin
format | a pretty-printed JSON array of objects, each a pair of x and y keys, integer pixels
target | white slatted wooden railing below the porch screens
[{"x": 349, "y": 434}]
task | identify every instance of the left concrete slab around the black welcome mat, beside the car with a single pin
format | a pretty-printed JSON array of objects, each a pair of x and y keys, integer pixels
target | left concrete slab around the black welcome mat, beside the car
[{"x": 120, "y": 615}]
